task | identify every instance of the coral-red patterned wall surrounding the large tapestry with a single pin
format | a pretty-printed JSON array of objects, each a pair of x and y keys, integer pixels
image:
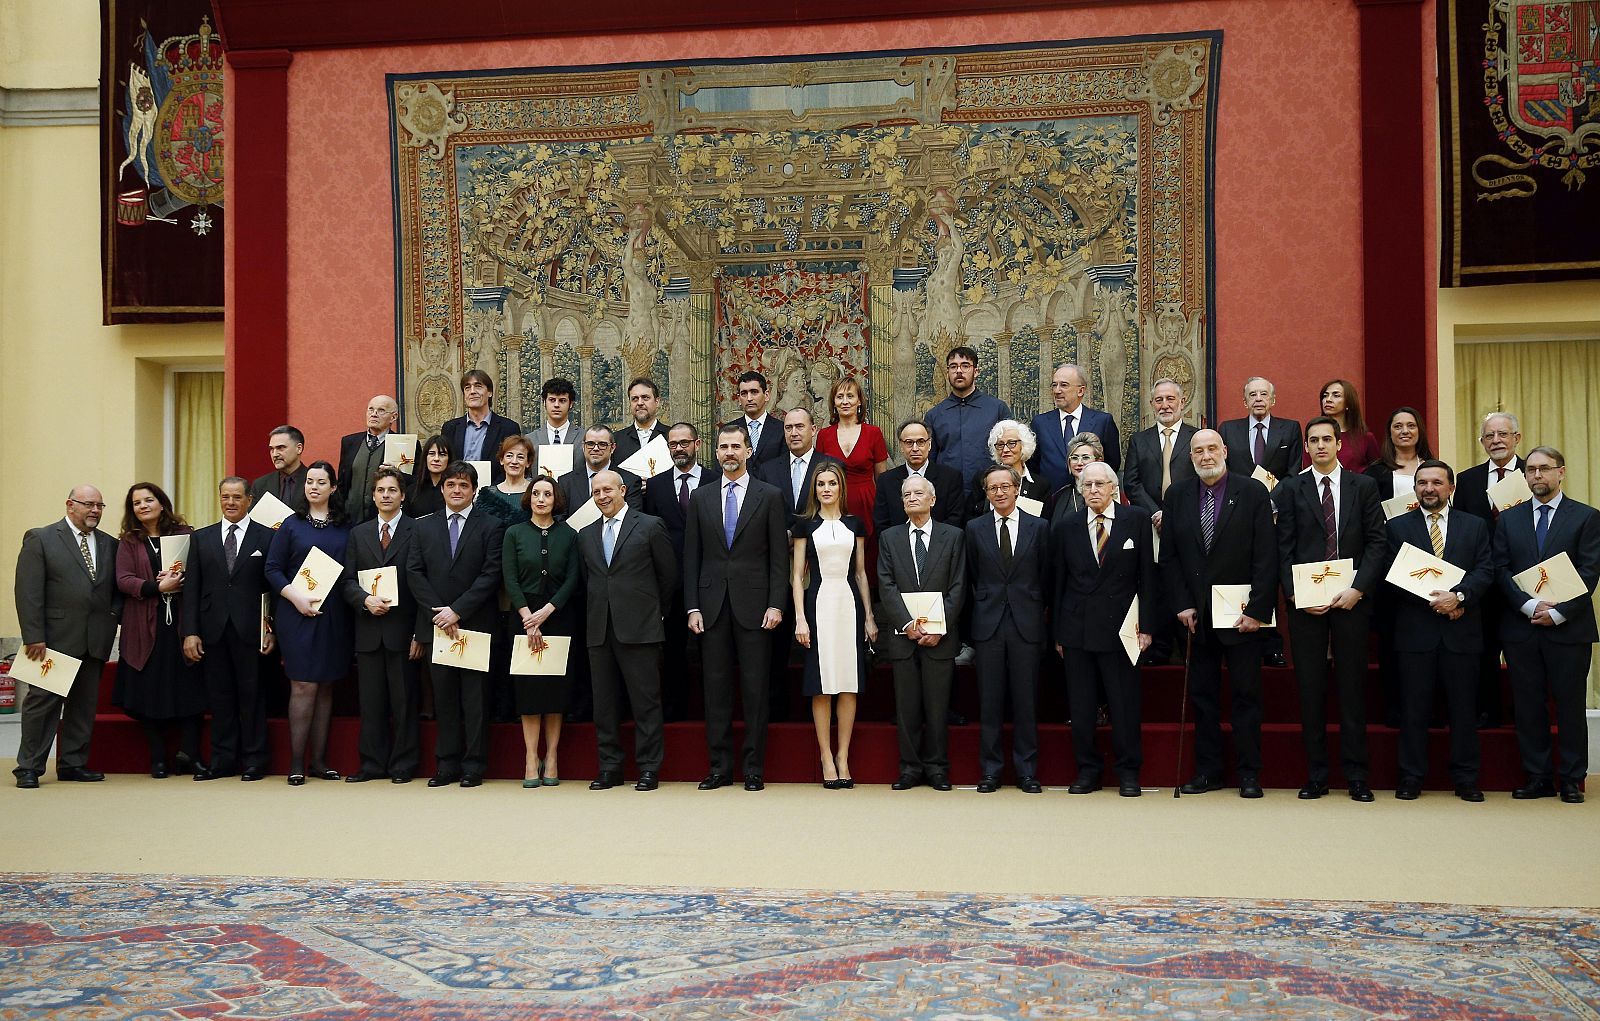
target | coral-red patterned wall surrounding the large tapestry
[{"x": 1289, "y": 226}]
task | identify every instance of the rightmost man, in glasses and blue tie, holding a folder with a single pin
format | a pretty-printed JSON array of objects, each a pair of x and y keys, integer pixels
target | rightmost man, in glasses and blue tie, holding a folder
[{"x": 1548, "y": 644}]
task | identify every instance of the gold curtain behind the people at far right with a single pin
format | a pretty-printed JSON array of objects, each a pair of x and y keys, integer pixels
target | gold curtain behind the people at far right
[{"x": 1550, "y": 388}]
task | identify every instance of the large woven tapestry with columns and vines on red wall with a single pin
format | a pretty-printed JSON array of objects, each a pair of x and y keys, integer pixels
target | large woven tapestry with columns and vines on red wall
[{"x": 812, "y": 218}]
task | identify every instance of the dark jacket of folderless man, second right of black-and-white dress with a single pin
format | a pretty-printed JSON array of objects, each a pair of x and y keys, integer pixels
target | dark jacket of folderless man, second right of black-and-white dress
[{"x": 1025, "y": 588}]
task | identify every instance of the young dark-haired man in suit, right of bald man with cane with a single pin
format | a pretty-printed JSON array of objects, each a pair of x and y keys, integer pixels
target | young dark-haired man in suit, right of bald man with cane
[{"x": 1330, "y": 515}]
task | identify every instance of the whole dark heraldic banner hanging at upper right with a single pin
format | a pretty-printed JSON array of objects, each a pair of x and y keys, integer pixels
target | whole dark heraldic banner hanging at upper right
[{"x": 1521, "y": 119}]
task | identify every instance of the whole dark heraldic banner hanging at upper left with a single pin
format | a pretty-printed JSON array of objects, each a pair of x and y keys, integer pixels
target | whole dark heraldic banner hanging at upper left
[{"x": 161, "y": 162}]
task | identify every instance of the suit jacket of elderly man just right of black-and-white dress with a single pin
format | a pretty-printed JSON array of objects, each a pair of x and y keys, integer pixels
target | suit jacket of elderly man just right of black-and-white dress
[{"x": 945, "y": 572}]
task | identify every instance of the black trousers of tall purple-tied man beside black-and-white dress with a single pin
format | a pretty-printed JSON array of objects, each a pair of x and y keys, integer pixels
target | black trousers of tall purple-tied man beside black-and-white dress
[{"x": 727, "y": 649}]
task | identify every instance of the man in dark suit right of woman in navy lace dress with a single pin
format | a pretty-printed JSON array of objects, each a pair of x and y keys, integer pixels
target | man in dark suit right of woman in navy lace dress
[{"x": 386, "y": 647}]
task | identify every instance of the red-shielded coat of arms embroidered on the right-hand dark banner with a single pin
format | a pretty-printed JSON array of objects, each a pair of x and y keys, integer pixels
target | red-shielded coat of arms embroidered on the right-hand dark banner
[{"x": 1542, "y": 86}]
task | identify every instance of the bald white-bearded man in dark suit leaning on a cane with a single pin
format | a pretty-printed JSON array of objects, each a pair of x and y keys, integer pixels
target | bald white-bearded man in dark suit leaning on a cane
[{"x": 1220, "y": 534}]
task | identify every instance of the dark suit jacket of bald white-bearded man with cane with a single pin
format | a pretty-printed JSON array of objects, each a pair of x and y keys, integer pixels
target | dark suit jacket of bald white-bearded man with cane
[{"x": 1246, "y": 551}]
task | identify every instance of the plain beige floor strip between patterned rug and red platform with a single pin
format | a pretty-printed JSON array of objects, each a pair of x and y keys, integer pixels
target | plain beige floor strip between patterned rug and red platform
[{"x": 1436, "y": 849}]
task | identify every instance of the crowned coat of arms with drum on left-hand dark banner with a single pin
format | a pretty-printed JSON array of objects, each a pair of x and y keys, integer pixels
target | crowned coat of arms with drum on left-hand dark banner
[{"x": 174, "y": 132}]
